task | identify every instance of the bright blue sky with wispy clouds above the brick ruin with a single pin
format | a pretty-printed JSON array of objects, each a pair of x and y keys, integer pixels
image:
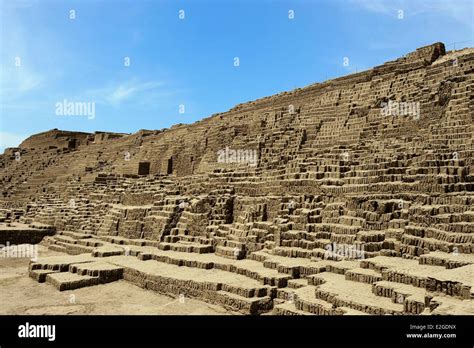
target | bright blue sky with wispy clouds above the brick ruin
[{"x": 47, "y": 57}]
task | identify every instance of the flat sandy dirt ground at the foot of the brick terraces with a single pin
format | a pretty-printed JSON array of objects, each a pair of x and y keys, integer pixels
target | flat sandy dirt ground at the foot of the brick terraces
[{"x": 21, "y": 295}]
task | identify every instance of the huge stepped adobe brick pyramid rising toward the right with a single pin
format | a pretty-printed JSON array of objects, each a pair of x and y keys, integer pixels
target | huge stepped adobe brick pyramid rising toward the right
[{"x": 352, "y": 196}]
